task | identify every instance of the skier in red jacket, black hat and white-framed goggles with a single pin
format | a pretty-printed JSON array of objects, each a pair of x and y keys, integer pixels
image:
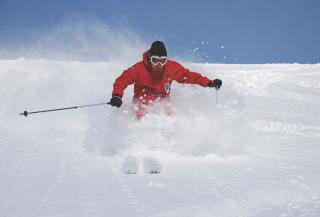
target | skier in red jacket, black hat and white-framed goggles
[{"x": 152, "y": 78}]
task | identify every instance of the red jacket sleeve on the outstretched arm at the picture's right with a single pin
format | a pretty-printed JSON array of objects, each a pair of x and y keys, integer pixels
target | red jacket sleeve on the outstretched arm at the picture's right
[{"x": 184, "y": 75}]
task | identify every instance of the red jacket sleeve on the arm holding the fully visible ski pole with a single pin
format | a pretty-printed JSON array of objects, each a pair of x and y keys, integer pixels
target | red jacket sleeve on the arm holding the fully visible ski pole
[{"x": 128, "y": 77}]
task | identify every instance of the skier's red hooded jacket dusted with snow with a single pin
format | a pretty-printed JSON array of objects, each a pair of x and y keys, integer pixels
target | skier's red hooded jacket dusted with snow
[{"x": 149, "y": 86}]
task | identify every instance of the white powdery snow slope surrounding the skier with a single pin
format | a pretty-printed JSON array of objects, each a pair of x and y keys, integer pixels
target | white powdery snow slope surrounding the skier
[{"x": 253, "y": 151}]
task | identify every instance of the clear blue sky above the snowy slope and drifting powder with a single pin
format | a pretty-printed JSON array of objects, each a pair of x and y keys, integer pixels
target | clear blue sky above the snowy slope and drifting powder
[{"x": 229, "y": 31}]
